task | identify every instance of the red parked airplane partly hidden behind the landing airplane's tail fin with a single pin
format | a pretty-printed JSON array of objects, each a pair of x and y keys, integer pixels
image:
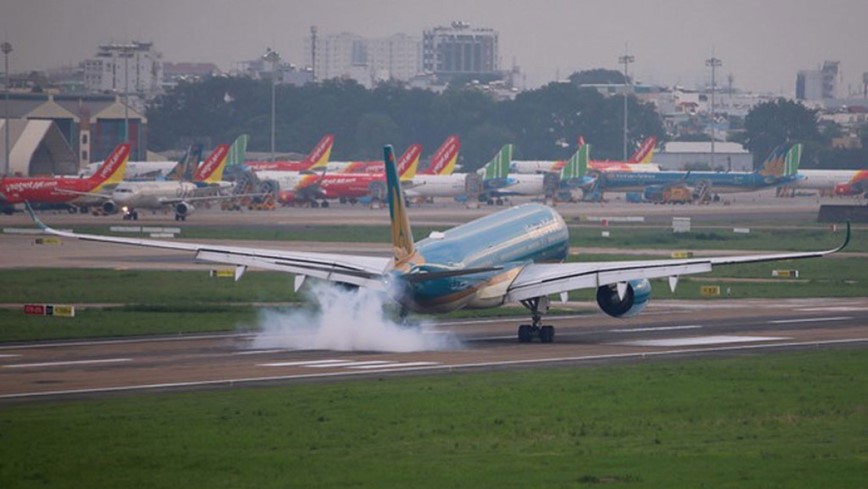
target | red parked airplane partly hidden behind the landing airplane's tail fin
[{"x": 347, "y": 187}]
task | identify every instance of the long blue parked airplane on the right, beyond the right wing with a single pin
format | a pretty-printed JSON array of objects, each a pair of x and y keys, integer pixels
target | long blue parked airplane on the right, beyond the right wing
[{"x": 780, "y": 168}]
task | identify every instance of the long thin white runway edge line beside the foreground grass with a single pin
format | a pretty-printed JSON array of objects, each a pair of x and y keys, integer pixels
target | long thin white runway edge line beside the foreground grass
[{"x": 350, "y": 373}]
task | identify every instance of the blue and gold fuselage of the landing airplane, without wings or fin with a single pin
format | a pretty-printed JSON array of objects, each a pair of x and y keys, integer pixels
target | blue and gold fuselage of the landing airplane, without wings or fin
[{"x": 507, "y": 240}]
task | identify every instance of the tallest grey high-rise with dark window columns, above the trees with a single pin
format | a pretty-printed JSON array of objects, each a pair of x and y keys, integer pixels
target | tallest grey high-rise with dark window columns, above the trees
[{"x": 459, "y": 49}]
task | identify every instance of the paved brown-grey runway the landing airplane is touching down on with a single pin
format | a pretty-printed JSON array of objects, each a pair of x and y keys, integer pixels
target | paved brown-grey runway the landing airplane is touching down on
[{"x": 667, "y": 329}]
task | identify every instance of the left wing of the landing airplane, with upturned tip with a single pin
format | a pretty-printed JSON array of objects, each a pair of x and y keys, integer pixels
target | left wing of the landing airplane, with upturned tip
[{"x": 364, "y": 271}]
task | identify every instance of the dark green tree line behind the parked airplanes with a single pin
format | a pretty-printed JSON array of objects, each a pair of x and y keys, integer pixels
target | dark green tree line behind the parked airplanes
[{"x": 543, "y": 123}]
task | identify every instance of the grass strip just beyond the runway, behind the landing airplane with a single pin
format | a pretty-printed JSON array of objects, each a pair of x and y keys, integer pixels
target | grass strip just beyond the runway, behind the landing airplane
[{"x": 171, "y": 302}]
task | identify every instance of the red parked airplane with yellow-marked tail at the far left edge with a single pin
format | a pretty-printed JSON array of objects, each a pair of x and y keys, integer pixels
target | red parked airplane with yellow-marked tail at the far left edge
[{"x": 64, "y": 190}]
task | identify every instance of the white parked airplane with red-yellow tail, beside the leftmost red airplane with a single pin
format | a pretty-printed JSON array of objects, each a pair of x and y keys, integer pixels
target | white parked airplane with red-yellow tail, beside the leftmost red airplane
[{"x": 177, "y": 195}]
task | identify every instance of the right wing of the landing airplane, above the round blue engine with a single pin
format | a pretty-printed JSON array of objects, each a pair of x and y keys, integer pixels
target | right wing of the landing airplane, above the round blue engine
[{"x": 537, "y": 280}]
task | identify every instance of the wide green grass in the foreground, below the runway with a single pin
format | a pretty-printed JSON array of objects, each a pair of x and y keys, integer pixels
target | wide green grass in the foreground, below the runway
[{"x": 778, "y": 421}]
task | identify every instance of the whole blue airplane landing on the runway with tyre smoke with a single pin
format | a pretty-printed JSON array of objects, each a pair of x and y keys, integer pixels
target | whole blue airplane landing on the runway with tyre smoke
[{"x": 514, "y": 255}]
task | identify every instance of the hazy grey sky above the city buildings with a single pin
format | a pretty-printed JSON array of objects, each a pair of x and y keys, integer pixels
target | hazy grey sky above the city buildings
[{"x": 762, "y": 43}]
